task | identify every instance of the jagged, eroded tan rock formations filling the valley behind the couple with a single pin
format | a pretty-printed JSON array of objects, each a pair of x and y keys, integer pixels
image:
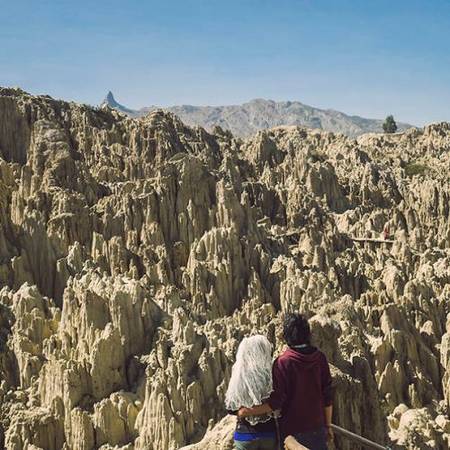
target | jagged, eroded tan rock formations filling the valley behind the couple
[{"x": 136, "y": 253}]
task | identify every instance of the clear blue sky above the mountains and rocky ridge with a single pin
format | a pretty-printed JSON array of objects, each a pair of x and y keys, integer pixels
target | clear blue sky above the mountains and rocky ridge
[{"x": 366, "y": 57}]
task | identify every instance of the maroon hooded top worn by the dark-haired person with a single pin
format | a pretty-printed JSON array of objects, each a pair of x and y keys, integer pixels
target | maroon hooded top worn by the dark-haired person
[{"x": 302, "y": 387}]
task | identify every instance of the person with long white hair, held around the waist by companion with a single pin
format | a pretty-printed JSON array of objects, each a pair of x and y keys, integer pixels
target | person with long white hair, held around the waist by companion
[{"x": 251, "y": 385}]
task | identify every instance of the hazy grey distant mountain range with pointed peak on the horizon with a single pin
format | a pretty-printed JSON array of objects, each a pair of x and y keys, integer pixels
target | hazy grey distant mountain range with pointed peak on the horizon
[{"x": 246, "y": 119}]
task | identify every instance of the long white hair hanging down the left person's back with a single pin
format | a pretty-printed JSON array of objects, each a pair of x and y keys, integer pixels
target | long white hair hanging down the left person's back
[{"x": 251, "y": 376}]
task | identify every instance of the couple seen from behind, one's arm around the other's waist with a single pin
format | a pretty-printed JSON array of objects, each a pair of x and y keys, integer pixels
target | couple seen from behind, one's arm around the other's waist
[{"x": 292, "y": 397}]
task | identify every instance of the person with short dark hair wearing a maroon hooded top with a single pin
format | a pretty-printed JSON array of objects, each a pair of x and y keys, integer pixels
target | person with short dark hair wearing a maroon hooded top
[{"x": 302, "y": 388}]
